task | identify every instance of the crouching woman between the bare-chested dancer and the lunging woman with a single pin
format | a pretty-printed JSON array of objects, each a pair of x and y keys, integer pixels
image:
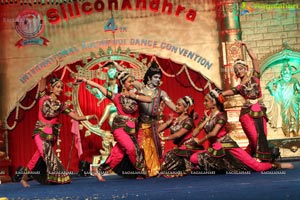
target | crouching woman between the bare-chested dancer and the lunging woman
[{"x": 176, "y": 162}]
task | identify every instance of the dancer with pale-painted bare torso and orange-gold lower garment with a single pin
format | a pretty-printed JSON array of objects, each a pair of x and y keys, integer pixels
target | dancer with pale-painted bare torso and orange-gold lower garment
[{"x": 149, "y": 116}]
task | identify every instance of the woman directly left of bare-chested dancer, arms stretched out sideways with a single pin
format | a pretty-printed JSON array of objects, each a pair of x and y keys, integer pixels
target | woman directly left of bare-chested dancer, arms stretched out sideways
[{"x": 126, "y": 158}]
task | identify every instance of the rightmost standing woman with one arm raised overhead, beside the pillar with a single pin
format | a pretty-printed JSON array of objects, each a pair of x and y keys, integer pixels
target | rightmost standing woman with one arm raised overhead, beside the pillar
[{"x": 253, "y": 116}]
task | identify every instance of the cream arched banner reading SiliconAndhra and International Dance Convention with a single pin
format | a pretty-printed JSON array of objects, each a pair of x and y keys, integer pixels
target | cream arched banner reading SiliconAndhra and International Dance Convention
[{"x": 36, "y": 36}]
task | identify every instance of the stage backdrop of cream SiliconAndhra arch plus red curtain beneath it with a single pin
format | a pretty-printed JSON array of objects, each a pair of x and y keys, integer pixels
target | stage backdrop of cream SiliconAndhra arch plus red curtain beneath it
[{"x": 54, "y": 39}]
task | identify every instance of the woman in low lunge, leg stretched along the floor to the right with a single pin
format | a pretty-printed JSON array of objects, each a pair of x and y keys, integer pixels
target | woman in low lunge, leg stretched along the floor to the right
[{"x": 224, "y": 155}]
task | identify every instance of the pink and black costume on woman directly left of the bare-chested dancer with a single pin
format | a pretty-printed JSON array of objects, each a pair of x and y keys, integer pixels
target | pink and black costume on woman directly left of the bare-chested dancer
[{"x": 126, "y": 155}]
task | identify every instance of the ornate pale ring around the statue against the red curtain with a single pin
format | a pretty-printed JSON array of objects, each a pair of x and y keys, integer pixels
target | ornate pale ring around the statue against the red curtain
[{"x": 94, "y": 70}]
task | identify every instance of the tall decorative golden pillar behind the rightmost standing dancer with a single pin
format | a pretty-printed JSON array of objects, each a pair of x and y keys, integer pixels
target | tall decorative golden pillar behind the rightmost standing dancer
[{"x": 228, "y": 16}]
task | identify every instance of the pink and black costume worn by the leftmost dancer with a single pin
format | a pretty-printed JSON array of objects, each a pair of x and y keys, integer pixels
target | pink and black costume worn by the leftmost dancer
[{"x": 44, "y": 165}]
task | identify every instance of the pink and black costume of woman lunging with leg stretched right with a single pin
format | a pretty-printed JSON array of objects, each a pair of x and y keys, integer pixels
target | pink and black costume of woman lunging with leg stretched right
[{"x": 224, "y": 154}]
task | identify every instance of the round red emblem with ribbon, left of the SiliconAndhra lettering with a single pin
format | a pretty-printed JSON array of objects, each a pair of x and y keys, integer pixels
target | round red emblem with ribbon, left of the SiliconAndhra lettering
[{"x": 29, "y": 25}]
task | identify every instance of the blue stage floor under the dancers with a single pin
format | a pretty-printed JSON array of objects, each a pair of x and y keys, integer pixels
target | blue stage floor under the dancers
[{"x": 280, "y": 184}]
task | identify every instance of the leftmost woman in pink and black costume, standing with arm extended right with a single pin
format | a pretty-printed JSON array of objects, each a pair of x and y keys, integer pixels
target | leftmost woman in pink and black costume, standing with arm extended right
[{"x": 44, "y": 165}]
